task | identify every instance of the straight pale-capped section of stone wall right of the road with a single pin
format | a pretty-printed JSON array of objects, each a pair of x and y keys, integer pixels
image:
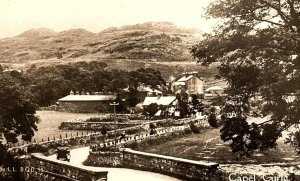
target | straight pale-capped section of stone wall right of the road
[{"x": 177, "y": 167}]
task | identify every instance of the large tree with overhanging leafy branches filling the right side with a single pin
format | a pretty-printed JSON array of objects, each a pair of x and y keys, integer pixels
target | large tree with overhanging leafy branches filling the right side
[{"x": 257, "y": 47}]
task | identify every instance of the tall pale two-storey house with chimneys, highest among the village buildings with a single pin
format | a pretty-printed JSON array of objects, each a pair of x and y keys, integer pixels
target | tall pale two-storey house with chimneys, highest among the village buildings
[{"x": 188, "y": 82}]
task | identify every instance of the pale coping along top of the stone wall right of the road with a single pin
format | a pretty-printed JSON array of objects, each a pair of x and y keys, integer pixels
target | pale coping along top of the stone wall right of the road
[{"x": 198, "y": 163}]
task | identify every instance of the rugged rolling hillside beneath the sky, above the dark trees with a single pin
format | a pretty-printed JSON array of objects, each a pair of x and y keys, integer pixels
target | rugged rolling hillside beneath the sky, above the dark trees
[{"x": 160, "y": 41}]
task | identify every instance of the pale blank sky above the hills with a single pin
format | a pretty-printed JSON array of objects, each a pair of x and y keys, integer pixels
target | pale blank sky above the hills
[{"x": 17, "y": 16}]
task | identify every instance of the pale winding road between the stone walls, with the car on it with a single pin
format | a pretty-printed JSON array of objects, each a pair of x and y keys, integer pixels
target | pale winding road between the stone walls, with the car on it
[{"x": 114, "y": 174}]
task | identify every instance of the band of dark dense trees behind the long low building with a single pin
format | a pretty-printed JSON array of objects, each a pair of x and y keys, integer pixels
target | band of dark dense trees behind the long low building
[{"x": 58, "y": 80}]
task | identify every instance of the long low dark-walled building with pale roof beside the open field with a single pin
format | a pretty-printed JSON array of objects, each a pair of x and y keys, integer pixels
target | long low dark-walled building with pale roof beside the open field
[{"x": 86, "y": 103}]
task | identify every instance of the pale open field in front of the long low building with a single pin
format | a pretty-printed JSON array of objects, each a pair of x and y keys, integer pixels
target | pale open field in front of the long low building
[{"x": 50, "y": 121}]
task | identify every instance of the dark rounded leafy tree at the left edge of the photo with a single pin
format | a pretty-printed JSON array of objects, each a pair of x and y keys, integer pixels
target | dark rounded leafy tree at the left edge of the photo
[{"x": 17, "y": 114}]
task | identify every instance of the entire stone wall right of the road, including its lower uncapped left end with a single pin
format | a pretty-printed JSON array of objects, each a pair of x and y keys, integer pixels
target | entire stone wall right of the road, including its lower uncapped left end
[{"x": 172, "y": 166}]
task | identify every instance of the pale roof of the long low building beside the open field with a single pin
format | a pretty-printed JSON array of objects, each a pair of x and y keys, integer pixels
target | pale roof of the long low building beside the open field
[{"x": 88, "y": 98}]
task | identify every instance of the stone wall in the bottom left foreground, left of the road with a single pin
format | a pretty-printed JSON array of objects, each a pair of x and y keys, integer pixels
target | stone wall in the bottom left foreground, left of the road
[{"x": 39, "y": 168}]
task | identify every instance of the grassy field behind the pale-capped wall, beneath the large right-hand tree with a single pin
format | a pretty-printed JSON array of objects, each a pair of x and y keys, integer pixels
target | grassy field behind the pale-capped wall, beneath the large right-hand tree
[{"x": 208, "y": 146}]
